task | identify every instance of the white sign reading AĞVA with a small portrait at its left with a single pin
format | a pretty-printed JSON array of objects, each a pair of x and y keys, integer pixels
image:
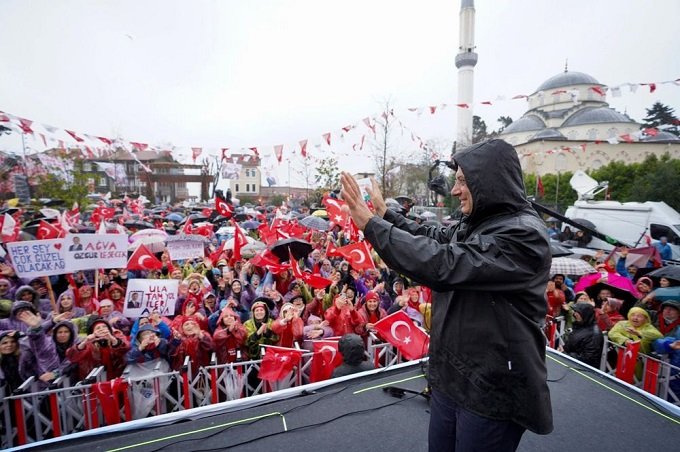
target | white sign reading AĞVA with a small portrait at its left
[{"x": 90, "y": 251}]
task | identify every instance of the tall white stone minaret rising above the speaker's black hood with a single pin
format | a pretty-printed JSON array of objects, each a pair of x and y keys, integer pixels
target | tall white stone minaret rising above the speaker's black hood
[{"x": 465, "y": 62}]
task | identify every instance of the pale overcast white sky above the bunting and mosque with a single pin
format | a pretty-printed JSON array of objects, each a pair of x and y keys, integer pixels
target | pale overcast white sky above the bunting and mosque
[{"x": 239, "y": 74}]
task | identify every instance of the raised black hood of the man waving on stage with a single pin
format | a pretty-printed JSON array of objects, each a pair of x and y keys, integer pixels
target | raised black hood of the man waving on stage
[{"x": 494, "y": 176}]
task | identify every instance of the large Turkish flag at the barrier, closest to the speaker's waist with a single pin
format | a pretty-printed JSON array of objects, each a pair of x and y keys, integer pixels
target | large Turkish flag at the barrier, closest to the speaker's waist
[{"x": 399, "y": 330}]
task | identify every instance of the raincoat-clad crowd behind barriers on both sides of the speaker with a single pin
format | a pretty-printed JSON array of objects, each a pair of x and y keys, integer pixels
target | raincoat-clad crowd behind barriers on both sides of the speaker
[{"x": 231, "y": 307}]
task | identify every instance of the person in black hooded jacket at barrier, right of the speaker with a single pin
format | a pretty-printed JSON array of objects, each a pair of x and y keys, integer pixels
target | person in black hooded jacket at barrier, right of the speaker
[{"x": 585, "y": 341}]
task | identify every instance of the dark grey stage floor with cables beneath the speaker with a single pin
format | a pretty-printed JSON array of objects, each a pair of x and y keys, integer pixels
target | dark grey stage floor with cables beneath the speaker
[{"x": 591, "y": 412}]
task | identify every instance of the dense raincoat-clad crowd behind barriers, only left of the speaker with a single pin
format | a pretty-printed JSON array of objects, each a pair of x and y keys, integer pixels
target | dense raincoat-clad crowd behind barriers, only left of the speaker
[{"x": 227, "y": 307}]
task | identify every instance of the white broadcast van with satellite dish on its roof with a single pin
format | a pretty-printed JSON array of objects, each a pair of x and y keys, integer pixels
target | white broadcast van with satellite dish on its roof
[{"x": 627, "y": 222}]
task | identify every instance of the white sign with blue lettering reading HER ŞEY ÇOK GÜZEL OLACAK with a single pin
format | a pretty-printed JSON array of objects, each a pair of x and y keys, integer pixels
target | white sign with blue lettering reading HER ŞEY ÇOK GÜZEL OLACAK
[{"x": 34, "y": 258}]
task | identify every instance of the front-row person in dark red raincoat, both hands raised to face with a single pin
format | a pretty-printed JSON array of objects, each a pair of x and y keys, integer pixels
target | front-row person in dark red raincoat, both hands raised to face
[{"x": 103, "y": 346}]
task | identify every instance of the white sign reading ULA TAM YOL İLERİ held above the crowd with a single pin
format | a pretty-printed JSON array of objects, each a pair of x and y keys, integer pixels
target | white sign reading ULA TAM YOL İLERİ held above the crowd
[{"x": 146, "y": 295}]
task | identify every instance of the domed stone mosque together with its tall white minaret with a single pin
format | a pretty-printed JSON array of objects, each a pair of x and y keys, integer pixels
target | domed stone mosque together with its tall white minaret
[{"x": 569, "y": 124}]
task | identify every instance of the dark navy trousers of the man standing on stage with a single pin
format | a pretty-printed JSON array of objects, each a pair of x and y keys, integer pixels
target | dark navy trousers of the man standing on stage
[{"x": 453, "y": 428}]
